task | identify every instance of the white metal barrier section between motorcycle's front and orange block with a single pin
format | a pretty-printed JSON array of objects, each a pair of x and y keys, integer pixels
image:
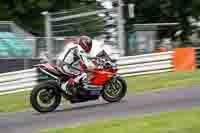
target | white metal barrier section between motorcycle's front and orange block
[{"x": 145, "y": 64}]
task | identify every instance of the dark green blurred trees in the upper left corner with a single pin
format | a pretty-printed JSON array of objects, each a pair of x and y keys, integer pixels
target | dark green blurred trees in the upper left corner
[{"x": 27, "y": 13}]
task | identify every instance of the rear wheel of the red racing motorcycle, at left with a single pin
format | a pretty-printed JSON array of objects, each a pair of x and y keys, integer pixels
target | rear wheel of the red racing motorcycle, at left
[{"x": 44, "y": 97}]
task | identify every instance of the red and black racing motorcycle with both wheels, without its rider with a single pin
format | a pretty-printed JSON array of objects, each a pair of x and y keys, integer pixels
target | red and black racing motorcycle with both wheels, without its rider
[{"x": 102, "y": 82}]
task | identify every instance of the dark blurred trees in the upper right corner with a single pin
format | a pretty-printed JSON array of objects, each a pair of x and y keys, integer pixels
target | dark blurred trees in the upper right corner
[{"x": 158, "y": 11}]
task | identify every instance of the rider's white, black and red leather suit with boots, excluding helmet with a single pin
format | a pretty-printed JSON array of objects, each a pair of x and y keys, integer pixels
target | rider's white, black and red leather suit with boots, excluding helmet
[{"x": 71, "y": 61}]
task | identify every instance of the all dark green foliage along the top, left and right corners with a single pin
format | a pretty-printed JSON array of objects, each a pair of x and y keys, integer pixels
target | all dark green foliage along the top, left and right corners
[{"x": 147, "y": 11}]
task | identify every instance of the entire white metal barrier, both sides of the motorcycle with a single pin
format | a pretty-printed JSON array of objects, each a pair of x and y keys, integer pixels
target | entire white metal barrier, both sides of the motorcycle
[{"x": 128, "y": 66}]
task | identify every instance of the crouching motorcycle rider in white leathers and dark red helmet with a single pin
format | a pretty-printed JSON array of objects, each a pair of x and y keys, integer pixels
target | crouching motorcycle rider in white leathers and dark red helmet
[{"x": 74, "y": 60}]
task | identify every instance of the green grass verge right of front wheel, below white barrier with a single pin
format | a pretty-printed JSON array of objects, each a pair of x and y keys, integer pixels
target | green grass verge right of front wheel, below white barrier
[{"x": 163, "y": 80}]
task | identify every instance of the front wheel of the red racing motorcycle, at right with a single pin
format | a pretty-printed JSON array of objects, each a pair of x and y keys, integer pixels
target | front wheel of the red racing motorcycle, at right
[{"x": 114, "y": 90}]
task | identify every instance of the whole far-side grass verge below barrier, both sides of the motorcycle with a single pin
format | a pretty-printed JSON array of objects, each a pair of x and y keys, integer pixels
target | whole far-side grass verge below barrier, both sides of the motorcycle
[{"x": 20, "y": 101}]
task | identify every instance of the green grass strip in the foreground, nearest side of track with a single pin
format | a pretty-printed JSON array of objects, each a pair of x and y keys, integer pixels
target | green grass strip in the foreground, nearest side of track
[{"x": 177, "y": 122}]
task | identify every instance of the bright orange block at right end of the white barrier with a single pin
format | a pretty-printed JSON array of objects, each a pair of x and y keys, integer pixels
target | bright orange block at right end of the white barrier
[{"x": 184, "y": 59}]
